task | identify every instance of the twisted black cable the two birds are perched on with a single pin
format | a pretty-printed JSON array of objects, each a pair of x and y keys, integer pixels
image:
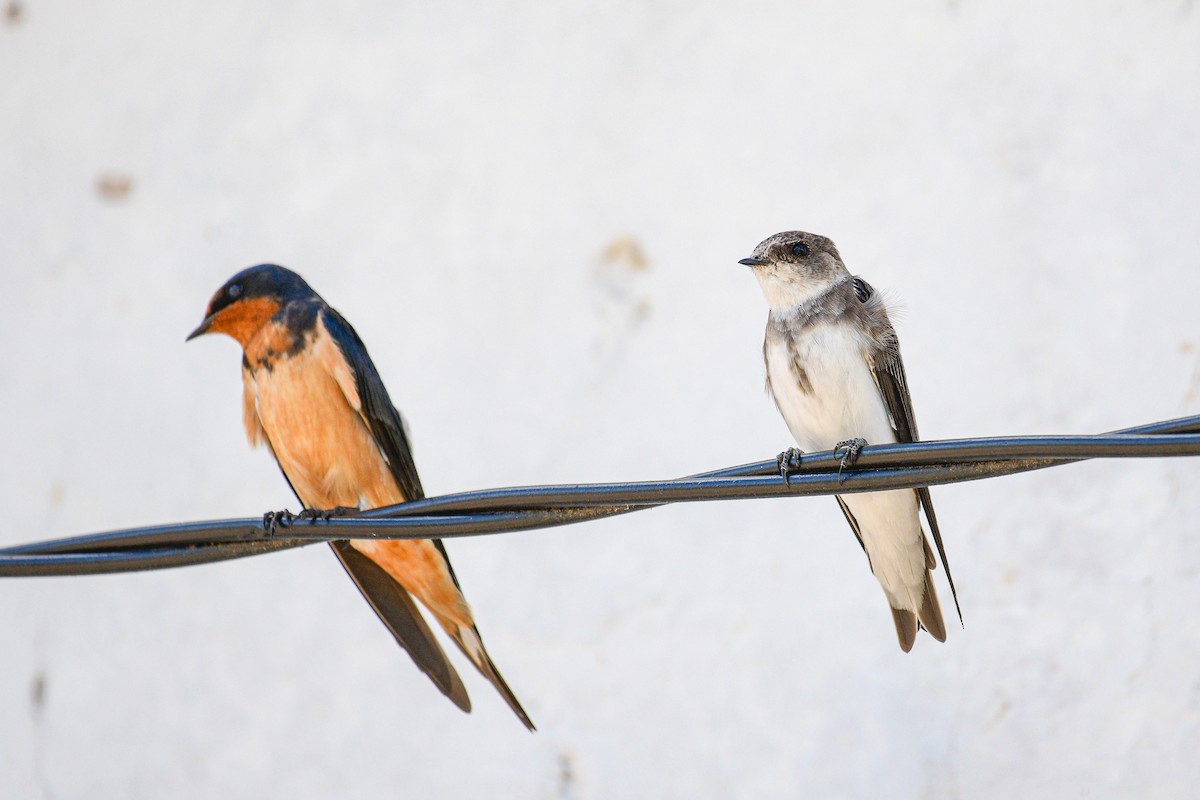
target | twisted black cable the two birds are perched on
[{"x": 496, "y": 512}]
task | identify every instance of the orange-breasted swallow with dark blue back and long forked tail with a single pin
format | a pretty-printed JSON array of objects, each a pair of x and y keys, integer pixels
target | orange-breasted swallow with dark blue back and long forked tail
[{"x": 313, "y": 395}]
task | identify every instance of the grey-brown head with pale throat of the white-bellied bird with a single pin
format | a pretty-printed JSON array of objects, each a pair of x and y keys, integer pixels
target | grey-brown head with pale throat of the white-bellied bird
[{"x": 795, "y": 267}]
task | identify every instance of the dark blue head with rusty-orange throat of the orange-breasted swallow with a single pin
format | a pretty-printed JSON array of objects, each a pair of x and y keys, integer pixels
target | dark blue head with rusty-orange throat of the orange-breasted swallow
[{"x": 249, "y": 300}]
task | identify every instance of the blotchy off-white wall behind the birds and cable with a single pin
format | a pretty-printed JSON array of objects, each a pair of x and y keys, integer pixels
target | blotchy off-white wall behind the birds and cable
[{"x": 532, "y": 214}]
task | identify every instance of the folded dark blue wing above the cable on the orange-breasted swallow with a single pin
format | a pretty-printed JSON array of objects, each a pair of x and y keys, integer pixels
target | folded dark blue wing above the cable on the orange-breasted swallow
[{"x": 381, "y": 416}]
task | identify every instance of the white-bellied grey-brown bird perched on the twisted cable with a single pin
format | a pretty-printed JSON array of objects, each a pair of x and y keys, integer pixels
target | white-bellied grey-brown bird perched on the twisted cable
[{"x": 836, "y": 374}]
